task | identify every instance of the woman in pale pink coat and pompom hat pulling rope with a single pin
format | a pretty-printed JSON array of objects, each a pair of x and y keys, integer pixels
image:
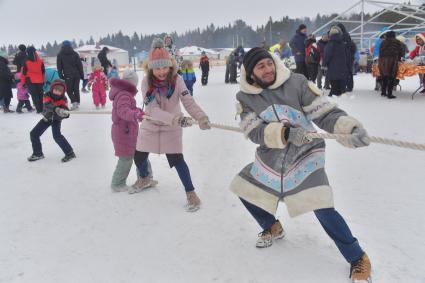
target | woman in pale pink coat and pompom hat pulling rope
[{"x": 161, "y": 132}]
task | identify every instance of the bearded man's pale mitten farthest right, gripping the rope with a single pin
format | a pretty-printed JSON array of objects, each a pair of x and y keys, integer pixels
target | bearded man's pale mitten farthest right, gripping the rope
[{"x": 356, "y": 135}]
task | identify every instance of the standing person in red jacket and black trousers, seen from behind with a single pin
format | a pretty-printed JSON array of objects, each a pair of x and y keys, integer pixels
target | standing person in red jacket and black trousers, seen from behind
[{"x": 33, "y": 76}]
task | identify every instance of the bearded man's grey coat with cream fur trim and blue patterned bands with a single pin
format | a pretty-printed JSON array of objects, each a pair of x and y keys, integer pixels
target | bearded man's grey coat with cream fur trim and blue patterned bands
[{"x": 281, "y": 170}]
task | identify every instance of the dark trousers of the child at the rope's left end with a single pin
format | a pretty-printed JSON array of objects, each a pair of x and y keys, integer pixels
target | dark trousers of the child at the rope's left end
[{"x": 40, "y": 128}]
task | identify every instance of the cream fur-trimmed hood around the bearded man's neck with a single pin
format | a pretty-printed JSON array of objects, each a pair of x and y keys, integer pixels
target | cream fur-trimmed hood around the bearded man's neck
[{"x": 282, "y": 75}]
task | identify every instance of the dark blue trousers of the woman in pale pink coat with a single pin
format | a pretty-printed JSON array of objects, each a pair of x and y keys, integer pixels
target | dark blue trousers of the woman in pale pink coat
[{"x": 174, "y": 160}]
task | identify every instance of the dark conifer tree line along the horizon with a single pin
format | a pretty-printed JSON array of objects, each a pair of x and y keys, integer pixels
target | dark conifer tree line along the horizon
[{"x": 231, "y": 35}]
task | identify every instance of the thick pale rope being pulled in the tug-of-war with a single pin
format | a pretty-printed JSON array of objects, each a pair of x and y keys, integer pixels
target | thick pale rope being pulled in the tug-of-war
[{"x": 384, "y": 141}]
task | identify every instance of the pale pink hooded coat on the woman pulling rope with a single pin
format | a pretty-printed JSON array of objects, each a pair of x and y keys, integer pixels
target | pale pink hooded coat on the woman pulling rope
[{"x": 160, "y": 135}]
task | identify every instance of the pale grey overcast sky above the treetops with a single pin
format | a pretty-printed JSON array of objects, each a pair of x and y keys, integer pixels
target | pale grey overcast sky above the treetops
[{"x": 40, "y": 21}]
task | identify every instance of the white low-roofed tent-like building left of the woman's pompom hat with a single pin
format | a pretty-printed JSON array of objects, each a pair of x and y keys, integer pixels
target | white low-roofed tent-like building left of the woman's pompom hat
[{"x": 116, "y": 55}]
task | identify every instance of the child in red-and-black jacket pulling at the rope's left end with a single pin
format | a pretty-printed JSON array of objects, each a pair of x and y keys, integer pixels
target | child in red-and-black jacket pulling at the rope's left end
[{"x": 55, "y": 109}]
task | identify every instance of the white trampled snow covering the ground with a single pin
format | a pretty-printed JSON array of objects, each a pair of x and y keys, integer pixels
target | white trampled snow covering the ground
[{"x": 61, "y": 222}]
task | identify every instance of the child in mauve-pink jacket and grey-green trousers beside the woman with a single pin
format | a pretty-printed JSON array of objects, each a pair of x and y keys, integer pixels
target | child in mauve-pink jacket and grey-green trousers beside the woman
[{"x": 125, "y": 126}]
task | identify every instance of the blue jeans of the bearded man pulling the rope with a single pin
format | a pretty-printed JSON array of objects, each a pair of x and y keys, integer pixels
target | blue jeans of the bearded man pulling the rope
[{"x": 333, "y": 223}]
